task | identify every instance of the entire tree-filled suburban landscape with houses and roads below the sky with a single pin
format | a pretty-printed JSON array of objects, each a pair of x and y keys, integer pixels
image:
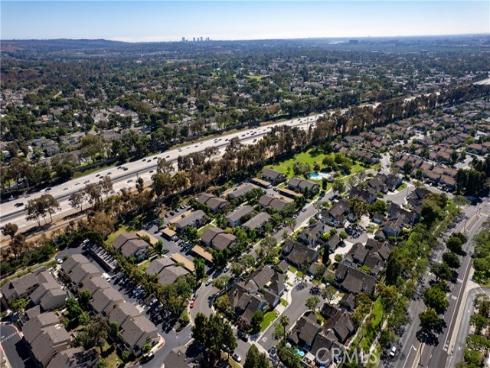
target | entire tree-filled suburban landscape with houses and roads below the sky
[{"x": 245, "y": 204}]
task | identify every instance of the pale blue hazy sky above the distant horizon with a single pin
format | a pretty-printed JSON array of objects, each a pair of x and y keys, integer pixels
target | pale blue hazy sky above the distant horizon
[{"x": 165, "y": 20}]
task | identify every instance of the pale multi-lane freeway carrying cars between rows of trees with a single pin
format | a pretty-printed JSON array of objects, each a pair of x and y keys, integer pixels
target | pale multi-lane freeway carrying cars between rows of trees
[{"x": 125, "y": 175}]
